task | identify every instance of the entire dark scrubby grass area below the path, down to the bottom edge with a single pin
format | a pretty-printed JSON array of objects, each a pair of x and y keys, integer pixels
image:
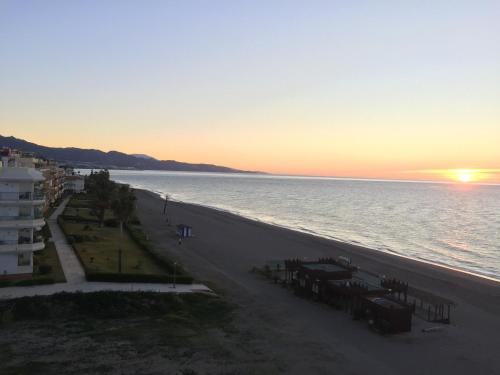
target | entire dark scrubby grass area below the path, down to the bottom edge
[{"x": 101, "y": 331}]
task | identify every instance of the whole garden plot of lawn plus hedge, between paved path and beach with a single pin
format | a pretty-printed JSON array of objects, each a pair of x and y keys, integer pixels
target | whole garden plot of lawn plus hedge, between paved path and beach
[{"x": 98, "y": 247}]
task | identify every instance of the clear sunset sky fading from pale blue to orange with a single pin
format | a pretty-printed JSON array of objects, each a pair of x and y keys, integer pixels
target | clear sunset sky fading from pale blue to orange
[{"x": 377, "y": 89}]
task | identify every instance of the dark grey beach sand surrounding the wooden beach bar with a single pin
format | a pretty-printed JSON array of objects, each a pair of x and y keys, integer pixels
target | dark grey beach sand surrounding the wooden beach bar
[{"x": 298, "y": 336}]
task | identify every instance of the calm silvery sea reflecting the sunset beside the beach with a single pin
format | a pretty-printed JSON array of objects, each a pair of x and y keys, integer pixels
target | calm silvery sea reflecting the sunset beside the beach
[{"x": 456, "y": 225}]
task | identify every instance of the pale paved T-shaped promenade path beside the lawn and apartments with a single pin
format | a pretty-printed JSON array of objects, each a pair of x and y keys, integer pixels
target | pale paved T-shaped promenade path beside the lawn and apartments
[{"x": 75, "y": 275}]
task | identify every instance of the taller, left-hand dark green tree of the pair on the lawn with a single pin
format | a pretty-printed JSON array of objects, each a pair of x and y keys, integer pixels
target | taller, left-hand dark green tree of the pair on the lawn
[{"x": 102, "y": 188}]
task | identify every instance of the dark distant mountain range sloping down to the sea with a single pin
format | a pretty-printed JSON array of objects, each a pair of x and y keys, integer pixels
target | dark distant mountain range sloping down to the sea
[{"x": 90, "y": 158}]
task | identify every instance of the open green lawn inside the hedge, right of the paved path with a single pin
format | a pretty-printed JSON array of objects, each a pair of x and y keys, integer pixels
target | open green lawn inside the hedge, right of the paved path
[{"x": 98, "y": 250}]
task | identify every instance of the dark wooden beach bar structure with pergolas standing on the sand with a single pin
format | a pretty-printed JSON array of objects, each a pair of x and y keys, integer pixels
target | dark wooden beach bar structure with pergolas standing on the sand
[{"x": 386, "y": 303}]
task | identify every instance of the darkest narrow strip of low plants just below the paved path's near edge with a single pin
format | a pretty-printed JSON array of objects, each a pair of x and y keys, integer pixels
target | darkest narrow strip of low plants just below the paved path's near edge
[{"x": 196, "y": 311}]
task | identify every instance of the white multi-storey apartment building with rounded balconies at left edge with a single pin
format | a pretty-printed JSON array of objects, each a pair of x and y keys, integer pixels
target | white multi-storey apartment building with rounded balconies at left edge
[{"x": 21, "y": 216}]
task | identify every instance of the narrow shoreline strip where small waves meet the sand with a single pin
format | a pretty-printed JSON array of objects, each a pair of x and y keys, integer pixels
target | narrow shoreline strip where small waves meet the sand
[{"x": 339, "y": 242}]
